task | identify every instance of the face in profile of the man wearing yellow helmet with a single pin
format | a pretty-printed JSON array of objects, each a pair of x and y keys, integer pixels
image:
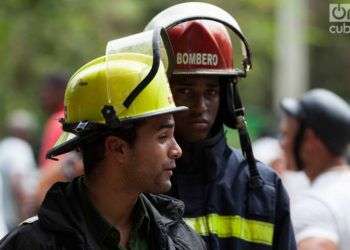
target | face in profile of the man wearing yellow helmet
[{"x": 153, "y": 155}]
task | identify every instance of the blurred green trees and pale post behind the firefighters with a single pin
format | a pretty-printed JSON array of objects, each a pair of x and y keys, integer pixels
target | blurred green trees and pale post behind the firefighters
[{"x": 293, "y": 49}]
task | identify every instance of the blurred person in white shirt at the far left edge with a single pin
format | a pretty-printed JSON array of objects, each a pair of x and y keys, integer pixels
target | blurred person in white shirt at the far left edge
[{"x": 18, "y": 167}]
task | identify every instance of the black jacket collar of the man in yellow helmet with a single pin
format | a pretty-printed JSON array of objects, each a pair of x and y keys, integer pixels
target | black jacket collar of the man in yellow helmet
[{"x": 61, "y": 213}]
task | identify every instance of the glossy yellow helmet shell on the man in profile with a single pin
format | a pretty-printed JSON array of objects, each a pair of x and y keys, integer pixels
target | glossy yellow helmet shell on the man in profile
[{"x": 102, "y": 82}]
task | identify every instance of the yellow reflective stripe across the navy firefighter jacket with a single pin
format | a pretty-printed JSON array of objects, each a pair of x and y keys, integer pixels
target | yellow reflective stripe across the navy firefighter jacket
[{"x": 233, "y": 226}]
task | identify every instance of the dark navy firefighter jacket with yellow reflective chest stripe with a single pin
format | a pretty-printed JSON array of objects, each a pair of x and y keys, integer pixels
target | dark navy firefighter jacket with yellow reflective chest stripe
[{"x": 212, "y": 180}]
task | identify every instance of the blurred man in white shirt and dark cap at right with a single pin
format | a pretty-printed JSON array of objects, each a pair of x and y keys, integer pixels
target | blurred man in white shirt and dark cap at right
[{"x": 315, "y": 136}]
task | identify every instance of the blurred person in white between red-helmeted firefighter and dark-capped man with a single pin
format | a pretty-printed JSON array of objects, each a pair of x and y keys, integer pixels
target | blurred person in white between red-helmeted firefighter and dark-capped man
[{"x": 269, "y": 151}]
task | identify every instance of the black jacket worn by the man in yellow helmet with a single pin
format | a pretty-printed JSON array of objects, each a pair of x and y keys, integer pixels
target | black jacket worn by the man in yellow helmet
[{"x": 61, "y": 224}]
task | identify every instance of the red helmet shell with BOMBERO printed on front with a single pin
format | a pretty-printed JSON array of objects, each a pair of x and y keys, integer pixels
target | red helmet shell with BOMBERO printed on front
[{"x": 201, "y": 47}]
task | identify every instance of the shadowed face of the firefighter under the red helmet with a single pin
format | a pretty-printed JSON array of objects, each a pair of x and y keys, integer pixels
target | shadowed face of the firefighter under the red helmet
[{"x": 201, "y": 95}]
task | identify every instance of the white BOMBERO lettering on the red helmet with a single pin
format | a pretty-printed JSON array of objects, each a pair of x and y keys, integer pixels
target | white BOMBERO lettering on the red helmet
[{"x": 197, "y": 59}]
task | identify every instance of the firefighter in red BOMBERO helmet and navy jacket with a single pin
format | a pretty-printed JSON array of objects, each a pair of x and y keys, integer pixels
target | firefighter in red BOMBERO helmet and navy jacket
[{"x": 231, "y": 200}]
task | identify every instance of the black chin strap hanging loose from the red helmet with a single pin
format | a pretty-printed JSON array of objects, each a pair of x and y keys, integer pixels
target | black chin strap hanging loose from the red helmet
[{"x": 255, "y": 180}]
